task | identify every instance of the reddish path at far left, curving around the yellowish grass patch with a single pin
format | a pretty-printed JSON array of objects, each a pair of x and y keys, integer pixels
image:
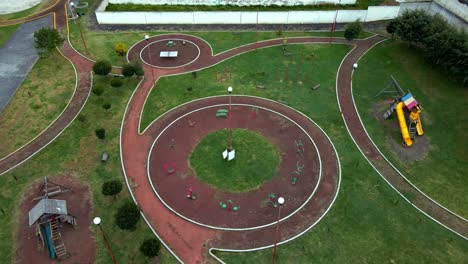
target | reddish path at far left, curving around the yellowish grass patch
[{"x": 83, "y": 69}]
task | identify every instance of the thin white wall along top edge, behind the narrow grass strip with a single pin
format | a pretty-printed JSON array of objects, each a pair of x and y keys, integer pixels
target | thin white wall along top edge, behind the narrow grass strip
[{"x": 232, "y": 2}]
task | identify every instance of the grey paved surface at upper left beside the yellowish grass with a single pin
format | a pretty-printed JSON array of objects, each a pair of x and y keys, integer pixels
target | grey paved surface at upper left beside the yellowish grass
[{"x": 18, "y": 56}]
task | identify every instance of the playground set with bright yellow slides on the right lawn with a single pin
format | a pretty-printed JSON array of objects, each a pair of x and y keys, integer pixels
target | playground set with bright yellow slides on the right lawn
[{"x": 407, "y": 108}]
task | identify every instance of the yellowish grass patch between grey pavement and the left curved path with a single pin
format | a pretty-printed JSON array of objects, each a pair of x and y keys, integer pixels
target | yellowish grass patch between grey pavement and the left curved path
[{"x": 37, "y": 103}]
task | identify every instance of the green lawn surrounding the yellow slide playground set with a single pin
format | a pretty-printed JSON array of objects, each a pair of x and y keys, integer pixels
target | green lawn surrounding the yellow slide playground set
[{"x": 442, "y": 172}]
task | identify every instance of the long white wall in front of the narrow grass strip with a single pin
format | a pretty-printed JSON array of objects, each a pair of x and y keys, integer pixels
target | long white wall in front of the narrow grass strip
[{"x": 287, "y": 17}]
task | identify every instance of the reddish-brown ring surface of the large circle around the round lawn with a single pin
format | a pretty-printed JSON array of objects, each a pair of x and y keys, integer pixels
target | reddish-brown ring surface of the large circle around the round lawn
[{"x": 178, "y": 140}]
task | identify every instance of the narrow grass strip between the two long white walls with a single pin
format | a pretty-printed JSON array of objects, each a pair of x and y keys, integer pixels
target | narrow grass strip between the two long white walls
[{"x": 188, "y": 8}]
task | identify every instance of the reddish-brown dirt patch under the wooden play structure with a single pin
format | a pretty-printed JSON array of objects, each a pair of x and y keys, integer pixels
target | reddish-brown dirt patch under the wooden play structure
[{"x": 80, "y": 242}]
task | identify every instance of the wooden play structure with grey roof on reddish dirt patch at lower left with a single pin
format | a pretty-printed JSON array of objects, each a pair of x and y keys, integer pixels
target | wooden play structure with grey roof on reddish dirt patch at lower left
[{"x": 48, "y": 217}]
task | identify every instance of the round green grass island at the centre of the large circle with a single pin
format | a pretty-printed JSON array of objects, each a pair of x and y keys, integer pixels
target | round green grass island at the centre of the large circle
[{"x": 249, "y": 170}]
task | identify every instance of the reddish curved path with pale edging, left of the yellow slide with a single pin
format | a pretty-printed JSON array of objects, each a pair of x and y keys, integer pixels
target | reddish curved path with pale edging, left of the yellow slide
[{"x": 358, "y": 133}]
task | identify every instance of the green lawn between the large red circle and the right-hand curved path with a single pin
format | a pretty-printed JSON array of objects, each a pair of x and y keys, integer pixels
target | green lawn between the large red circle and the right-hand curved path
[{"x": 370, "y": 222}]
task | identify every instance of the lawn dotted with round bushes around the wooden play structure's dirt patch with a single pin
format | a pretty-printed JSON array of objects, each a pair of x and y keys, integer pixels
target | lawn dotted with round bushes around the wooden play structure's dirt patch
[{"x": 77, "y": 153}]
